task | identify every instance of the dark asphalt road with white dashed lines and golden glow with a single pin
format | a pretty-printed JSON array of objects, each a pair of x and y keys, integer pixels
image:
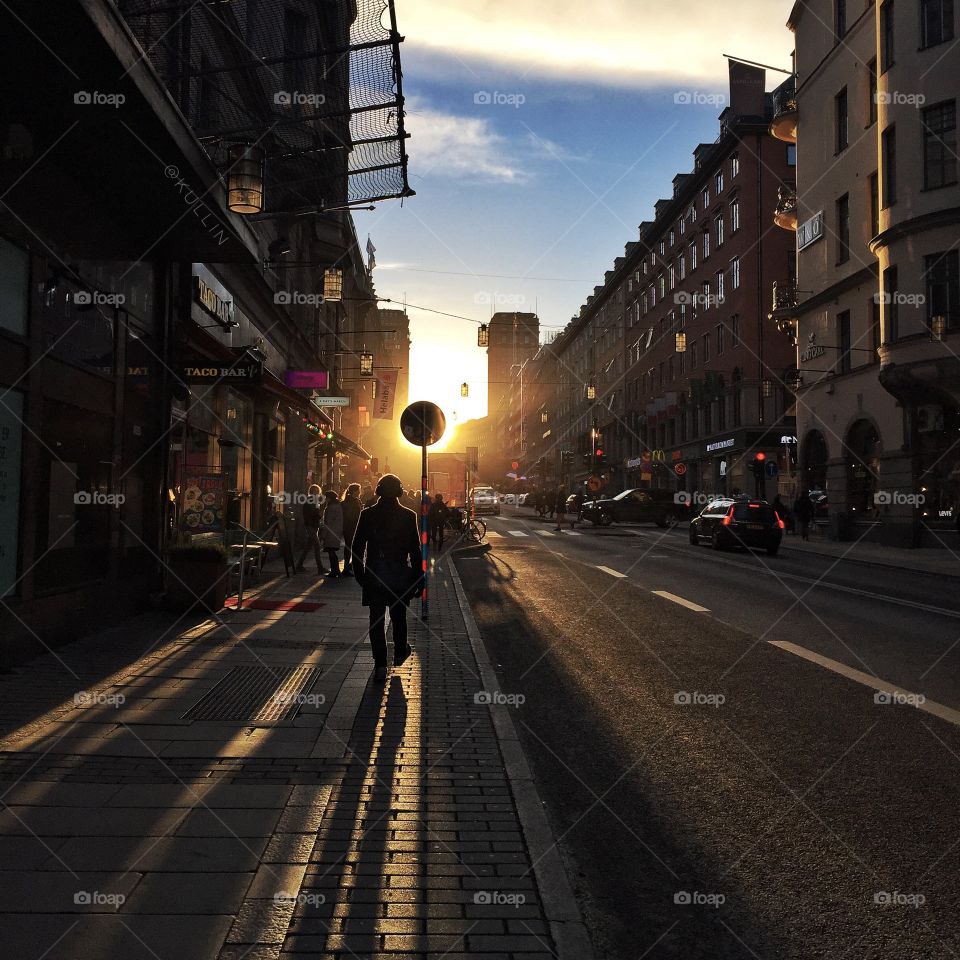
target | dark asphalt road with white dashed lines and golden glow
[{"x": 719, "y": 795}]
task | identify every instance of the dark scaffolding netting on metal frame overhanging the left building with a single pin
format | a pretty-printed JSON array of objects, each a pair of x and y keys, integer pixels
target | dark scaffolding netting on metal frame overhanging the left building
[{"x": 315, "y": 84}]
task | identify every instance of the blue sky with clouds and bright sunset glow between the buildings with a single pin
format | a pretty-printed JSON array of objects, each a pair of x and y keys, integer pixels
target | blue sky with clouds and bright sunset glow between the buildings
[{"x": 542, "y": 134}]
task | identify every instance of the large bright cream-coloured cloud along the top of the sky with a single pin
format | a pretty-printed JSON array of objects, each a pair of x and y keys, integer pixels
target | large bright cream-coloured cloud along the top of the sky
[{"x": 623, "y": 42}]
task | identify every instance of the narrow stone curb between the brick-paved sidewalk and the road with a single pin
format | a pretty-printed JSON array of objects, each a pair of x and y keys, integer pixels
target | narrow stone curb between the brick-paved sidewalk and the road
[{"x": 559, "y": 904}]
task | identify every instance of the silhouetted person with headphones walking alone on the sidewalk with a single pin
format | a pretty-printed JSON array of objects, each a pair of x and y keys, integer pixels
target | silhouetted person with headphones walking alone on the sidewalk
[{"x": 388, "y": 566}]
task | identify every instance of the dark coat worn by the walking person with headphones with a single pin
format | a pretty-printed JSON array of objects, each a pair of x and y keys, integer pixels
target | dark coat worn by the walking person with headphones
[{"x": 386, "y": 553}]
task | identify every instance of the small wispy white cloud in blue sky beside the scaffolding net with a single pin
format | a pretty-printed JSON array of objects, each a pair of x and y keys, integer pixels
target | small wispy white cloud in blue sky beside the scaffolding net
[{"x": 455, "y": 146}]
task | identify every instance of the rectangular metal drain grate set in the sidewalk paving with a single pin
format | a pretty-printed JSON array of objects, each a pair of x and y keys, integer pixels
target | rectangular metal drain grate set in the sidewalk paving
[{"x": 256, "y": 695}]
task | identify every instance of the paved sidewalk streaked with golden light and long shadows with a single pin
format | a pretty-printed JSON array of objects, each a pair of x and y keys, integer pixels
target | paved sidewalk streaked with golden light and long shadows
[{"x": 239, "y": 789}]
